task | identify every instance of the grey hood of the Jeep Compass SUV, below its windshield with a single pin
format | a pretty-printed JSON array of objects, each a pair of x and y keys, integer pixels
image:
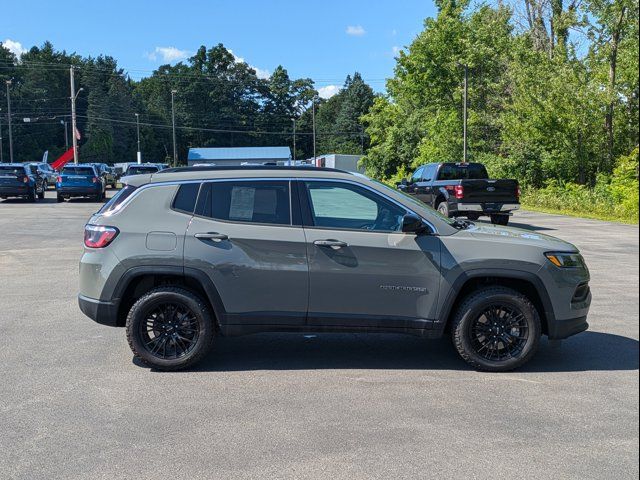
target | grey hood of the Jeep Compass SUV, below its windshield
[{"x": 513, "y": 235}]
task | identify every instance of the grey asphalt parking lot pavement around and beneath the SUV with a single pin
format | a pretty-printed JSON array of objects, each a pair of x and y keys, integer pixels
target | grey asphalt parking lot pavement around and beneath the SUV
[{"x": 73, "y": 404}]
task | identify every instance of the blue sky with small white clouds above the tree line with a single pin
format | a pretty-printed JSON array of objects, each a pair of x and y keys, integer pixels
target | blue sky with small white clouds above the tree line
[{"x": 323, "y": 40}]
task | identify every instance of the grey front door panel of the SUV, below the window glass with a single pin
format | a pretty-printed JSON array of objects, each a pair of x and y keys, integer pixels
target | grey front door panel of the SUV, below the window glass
[{"x": 382, "y": 277}]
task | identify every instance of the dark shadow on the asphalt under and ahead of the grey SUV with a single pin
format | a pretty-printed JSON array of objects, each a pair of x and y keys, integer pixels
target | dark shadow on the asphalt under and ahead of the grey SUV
[{"x": 588, "y": 351}]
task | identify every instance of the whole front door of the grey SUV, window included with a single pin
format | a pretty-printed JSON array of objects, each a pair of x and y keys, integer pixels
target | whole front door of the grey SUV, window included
[{"x": 374, "y": 276}]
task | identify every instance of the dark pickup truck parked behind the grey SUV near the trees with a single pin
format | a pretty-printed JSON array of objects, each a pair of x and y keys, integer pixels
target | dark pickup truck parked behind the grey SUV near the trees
[{"x": 463, "y": 190}]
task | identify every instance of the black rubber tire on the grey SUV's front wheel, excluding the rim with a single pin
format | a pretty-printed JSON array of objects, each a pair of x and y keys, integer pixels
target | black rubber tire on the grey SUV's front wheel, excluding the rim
[{"x": 473, "y": 311}]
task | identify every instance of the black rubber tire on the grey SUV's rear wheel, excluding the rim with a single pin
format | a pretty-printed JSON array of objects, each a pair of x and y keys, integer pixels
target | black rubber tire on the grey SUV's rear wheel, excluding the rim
[{"x": 138, "y": 314}]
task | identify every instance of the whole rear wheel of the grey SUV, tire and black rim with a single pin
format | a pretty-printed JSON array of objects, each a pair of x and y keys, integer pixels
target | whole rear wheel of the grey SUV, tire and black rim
[{"x": 147, "y": 348}]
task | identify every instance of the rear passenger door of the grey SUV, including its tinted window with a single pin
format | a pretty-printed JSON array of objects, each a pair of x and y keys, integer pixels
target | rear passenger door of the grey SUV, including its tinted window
[{"x": 259, "y": 270}]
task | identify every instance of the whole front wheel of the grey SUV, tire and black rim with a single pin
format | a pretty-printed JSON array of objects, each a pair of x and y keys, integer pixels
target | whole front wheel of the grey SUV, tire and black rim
[{"x": 474, "y": 333}]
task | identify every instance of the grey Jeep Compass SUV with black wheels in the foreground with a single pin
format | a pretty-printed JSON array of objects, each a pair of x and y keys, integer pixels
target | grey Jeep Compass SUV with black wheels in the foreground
[{"x": 184, "y": 255}]
